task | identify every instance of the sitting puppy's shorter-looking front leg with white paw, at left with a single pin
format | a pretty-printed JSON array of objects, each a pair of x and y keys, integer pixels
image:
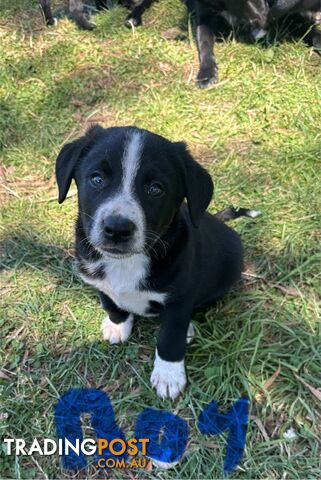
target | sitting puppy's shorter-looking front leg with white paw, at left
[{"x": 117, "y": 325}]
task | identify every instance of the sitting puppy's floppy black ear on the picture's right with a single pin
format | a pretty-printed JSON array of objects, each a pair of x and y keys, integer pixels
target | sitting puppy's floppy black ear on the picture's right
[{"x": 198, "y": 184}]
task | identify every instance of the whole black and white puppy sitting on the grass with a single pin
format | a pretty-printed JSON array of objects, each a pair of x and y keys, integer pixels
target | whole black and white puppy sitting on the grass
[{"x": 140, "y": 245}]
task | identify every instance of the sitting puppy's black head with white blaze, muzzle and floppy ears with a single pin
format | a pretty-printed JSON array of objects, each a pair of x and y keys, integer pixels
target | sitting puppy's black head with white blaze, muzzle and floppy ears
[{"x": 131, "y": 183}]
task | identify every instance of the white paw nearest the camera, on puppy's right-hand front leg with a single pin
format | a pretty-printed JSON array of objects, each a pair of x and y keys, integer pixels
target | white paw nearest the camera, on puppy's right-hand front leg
[{"x": 168, "y": 378}]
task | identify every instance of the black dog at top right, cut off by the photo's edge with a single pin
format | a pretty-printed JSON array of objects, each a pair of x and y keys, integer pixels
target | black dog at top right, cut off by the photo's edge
[{"x": 255, "y": 16}]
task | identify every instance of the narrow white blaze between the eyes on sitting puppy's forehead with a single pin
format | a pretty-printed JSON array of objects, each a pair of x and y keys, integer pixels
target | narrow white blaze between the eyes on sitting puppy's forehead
[{"x": 131, "y": 161}]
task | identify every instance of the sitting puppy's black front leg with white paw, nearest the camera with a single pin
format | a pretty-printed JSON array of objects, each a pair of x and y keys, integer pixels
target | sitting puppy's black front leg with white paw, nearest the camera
[{"x": 168, "y": 376}]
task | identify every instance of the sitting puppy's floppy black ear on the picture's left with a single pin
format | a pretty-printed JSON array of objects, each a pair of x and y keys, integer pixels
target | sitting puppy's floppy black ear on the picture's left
[{"x": 70, "y": 155}]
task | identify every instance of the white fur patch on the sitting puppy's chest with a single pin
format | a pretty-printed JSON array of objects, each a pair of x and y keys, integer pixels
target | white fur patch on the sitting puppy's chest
[{"x": 122, "y": 282}]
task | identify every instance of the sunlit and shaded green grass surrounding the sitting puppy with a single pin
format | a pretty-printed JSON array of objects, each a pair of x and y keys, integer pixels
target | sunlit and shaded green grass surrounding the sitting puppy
[{"x": 258, "y": 133}]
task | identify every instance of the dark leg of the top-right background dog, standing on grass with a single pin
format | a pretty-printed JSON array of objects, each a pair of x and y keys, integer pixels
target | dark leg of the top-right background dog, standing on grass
[{"x": 207, "y": 73}]
